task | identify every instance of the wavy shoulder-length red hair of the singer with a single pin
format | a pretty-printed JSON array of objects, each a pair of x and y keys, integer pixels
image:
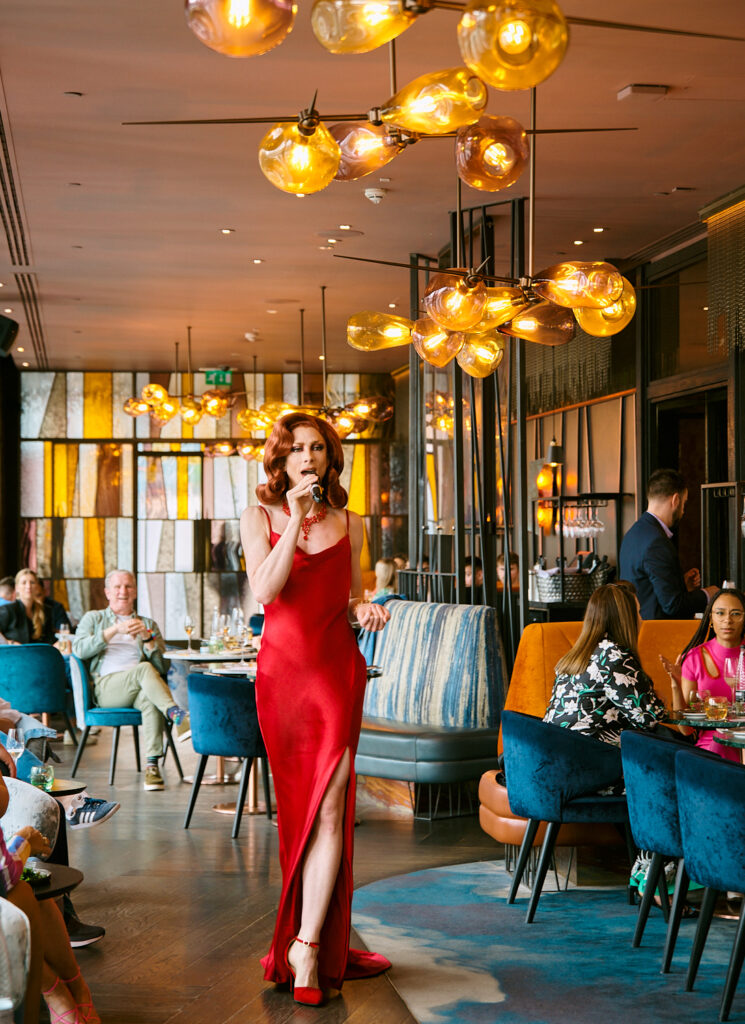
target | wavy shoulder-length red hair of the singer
[{"x": 278, "y": 449}]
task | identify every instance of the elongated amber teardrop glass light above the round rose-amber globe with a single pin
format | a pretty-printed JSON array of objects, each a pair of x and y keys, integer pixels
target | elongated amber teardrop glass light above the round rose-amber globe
[{"x": 437, "y": 104}]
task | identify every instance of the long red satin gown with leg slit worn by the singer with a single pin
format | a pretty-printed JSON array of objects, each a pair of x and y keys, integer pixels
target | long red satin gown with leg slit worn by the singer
[{"x": 310, "y": 688}]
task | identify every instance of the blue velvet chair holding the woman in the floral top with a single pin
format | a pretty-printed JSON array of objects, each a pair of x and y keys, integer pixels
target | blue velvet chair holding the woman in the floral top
[{"x": 553, "y": 776}]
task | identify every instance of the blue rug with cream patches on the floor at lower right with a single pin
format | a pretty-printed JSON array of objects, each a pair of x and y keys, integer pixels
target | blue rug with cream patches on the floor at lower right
[{"x": 462, "y": 956}]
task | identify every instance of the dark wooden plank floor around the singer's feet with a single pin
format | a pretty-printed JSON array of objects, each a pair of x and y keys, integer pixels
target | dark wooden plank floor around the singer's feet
[{"x": 189, "y": 914}]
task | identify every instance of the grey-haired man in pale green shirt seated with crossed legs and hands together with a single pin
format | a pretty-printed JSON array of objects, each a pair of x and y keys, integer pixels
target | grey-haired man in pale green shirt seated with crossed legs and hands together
[{"x": 124, "y": 653}]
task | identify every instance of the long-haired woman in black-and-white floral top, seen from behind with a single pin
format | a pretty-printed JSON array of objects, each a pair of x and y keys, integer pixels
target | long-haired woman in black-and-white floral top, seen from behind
[{"x": 601, "y": 689}]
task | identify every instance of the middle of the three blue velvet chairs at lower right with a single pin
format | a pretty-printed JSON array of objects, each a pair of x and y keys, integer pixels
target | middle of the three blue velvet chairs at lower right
[{"x": 649, "y": 772}]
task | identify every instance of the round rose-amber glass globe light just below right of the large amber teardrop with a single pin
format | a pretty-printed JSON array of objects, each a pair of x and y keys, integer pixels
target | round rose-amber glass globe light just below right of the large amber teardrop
[{"x": 493, "y": 154}]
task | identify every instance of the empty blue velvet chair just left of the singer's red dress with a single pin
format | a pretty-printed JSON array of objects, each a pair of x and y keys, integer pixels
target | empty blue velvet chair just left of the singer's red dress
[{"x": 225, "y": 723}]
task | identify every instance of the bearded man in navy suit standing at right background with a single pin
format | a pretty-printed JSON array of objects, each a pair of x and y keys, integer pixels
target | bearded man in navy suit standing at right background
[{"x": 649, "y": 559}]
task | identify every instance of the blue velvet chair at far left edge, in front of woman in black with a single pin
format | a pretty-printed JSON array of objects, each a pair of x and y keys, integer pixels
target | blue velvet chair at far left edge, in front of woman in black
[{"x": 33, "y": 680}]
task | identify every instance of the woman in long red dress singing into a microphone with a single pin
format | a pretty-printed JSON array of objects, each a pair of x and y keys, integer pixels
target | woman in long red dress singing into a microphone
[{"x": 302, "y": 559}]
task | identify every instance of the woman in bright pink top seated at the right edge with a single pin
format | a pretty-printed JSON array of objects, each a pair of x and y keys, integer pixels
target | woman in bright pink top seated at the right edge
[{"x": 704, "y": 660}]
